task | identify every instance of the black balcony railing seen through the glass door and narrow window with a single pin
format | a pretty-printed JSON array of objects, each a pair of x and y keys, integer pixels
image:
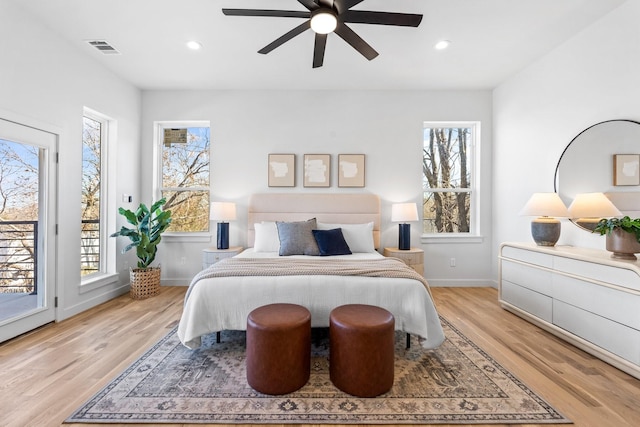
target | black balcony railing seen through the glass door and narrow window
[{"x": 19, "y": 247}]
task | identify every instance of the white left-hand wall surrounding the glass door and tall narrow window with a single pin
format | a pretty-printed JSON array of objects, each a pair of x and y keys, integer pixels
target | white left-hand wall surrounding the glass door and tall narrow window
[{"x": 46, "y": 82}]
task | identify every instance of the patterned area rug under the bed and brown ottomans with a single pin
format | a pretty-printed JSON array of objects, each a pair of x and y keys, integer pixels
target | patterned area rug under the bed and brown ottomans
[{"x": 457, "y": 383}]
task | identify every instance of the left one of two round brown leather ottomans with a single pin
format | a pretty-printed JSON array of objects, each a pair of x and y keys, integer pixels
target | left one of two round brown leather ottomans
[{"x": 278, "y": 348}]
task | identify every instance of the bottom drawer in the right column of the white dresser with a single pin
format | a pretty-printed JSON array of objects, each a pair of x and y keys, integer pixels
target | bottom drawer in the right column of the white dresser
[{"x": 612, "y": 336}]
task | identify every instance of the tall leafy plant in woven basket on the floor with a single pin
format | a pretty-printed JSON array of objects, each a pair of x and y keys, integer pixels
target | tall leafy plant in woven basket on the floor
[{"x": 148, "y": 226}]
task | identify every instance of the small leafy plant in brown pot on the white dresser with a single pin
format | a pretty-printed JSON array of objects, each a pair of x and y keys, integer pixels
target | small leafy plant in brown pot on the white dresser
[{"x": 623, "y": 236}]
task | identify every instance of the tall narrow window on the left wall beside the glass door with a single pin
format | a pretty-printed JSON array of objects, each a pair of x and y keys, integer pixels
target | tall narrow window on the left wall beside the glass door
[{"x": 93, "y": 235}]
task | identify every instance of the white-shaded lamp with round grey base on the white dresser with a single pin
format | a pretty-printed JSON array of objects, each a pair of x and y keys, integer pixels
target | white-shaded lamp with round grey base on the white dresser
[{"x": 545, "y": 229}]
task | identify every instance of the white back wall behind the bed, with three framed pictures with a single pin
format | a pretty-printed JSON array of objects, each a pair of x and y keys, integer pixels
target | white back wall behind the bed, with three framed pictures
[{"x": 386, "y": 126}]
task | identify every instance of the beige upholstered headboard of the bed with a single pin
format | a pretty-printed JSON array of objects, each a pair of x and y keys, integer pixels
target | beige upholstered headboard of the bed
[{"x": 338, "y": 208}]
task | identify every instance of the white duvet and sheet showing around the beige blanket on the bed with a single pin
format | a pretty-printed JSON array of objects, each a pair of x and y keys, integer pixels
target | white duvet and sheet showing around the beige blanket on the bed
[{"x": 223, "y": 303}]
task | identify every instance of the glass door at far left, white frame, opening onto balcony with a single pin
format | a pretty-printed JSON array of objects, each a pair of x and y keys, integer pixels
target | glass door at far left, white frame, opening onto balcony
[{"x": 27, "y": 228}]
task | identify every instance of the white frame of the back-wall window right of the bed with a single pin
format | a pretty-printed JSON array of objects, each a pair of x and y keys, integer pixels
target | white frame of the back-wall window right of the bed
[{"x": 473, "y": 162}]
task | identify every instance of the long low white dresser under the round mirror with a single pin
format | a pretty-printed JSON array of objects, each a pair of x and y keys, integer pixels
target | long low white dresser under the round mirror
[{"x": 581, "y": 295}]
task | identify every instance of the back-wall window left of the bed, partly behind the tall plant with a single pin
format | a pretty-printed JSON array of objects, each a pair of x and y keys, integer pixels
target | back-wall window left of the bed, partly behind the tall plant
[{"x": 184, "y": 174}]
